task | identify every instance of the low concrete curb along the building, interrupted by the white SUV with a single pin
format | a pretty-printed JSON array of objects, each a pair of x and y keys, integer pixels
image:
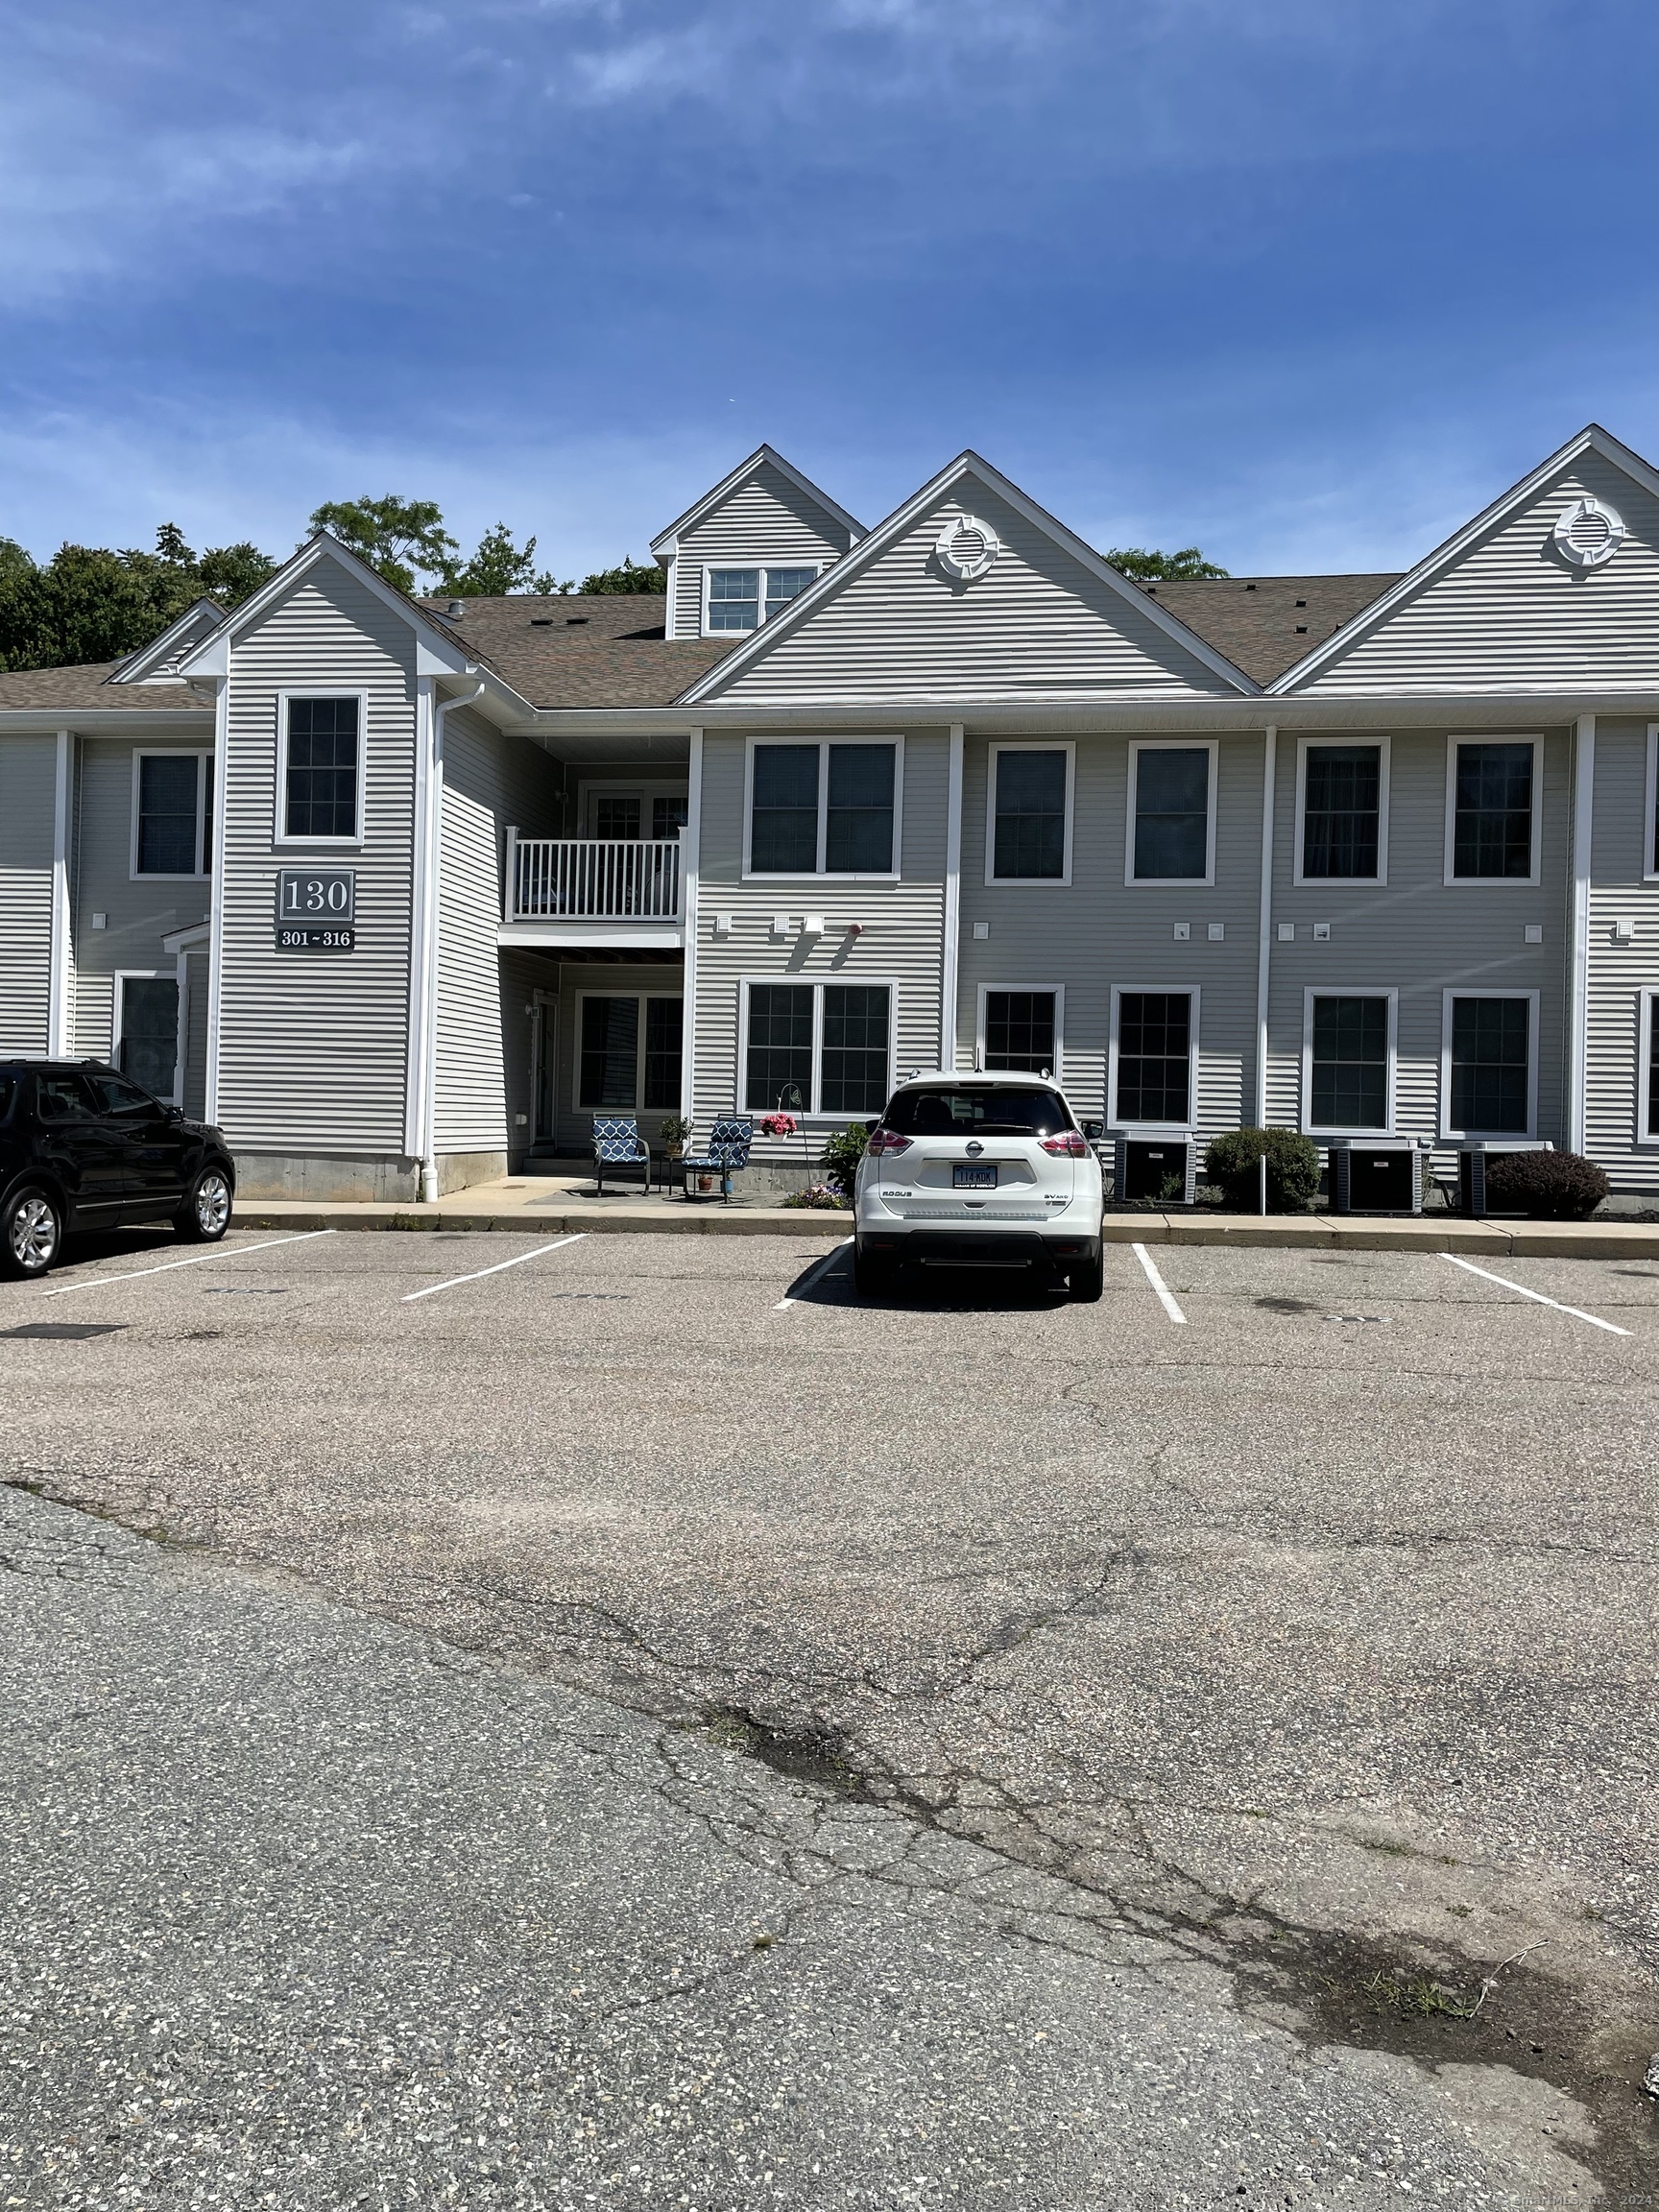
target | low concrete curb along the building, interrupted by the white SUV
[{"x": 1275, "y": 1233}]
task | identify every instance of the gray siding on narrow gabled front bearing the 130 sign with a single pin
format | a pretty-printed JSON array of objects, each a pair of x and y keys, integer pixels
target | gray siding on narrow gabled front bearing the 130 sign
[{"x": 313, "y": 1047}]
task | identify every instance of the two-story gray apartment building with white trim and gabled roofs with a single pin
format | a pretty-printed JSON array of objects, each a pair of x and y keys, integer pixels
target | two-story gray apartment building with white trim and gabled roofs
[{"x": 404, "y": 893}]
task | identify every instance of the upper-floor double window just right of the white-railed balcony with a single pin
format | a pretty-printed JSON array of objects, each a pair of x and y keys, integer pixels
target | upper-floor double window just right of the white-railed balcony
[{"x": 824, "y": 808}]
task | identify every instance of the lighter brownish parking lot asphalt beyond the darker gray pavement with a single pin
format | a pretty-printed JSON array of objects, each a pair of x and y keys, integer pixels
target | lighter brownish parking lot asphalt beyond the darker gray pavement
[{"x": 1306, "y": 1638}]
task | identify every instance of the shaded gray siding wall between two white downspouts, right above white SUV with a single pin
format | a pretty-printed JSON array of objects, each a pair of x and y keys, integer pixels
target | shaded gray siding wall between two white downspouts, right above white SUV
[{"x": 1100, "y": 932}]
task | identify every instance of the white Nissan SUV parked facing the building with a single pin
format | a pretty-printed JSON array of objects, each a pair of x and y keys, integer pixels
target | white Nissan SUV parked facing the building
[{"x": 979, "y": 1171}]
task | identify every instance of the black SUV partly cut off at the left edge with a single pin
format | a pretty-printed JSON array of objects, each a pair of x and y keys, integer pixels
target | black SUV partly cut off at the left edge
[{"x": 85, "y": 1149}]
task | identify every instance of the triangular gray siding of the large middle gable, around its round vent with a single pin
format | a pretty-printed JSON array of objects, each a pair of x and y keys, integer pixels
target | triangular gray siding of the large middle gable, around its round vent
[{"x": 1034, "y": 627}]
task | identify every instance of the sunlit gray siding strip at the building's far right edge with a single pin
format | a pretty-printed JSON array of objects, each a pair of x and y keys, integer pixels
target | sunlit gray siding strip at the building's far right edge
[{"x": 1620, "y": 853}]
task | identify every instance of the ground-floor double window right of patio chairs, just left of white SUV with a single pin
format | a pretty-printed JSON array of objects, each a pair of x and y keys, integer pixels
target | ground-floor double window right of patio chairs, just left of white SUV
[{"x": 817, "y": 1047}]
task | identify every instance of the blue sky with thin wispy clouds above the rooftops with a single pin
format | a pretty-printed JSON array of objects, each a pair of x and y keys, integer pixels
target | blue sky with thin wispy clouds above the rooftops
[{"x": 1304, "y": 282}]
